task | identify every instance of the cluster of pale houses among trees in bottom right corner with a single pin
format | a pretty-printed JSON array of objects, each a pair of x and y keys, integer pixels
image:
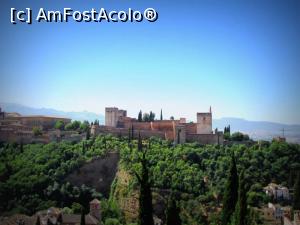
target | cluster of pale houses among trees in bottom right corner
[{"x": 275, "y": 213}]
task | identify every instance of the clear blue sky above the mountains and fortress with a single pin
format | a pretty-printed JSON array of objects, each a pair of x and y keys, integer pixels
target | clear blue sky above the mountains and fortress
[{"x": 240, "y": 57}]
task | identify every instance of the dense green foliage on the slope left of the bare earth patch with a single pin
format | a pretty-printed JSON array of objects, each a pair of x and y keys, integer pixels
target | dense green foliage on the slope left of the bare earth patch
[{"x": 32, "y": 176}]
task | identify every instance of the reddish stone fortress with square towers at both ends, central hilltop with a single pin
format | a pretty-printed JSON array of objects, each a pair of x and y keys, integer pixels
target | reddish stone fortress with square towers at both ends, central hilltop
[{"x": 118, "y": 123}]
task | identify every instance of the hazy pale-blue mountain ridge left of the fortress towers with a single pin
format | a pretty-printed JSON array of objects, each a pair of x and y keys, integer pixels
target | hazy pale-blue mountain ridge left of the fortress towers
[{"x": 26, "y": 110}]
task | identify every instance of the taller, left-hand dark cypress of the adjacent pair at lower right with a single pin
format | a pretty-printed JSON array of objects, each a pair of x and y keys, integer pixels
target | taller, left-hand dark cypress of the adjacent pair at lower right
[{"x": 230, "y": 194}]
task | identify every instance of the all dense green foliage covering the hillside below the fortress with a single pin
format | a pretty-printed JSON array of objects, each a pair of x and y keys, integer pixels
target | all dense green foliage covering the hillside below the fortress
[{"x": 32, "y": 176}]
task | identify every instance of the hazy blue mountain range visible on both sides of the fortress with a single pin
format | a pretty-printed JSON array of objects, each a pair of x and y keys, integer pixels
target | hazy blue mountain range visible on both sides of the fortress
[{"x": 256, "y": 129}]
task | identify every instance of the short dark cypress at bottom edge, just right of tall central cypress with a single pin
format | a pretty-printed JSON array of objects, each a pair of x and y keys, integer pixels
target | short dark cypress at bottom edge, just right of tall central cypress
[{"x": 172, "y": 212}]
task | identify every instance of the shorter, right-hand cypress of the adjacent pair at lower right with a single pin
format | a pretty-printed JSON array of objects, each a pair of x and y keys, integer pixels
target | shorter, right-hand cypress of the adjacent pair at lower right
[{"x": 240, "y": 214}]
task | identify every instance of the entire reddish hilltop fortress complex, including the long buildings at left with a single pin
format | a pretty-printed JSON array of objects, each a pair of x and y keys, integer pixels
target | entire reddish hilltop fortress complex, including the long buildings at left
[{"x": 17, "y": 128}]
